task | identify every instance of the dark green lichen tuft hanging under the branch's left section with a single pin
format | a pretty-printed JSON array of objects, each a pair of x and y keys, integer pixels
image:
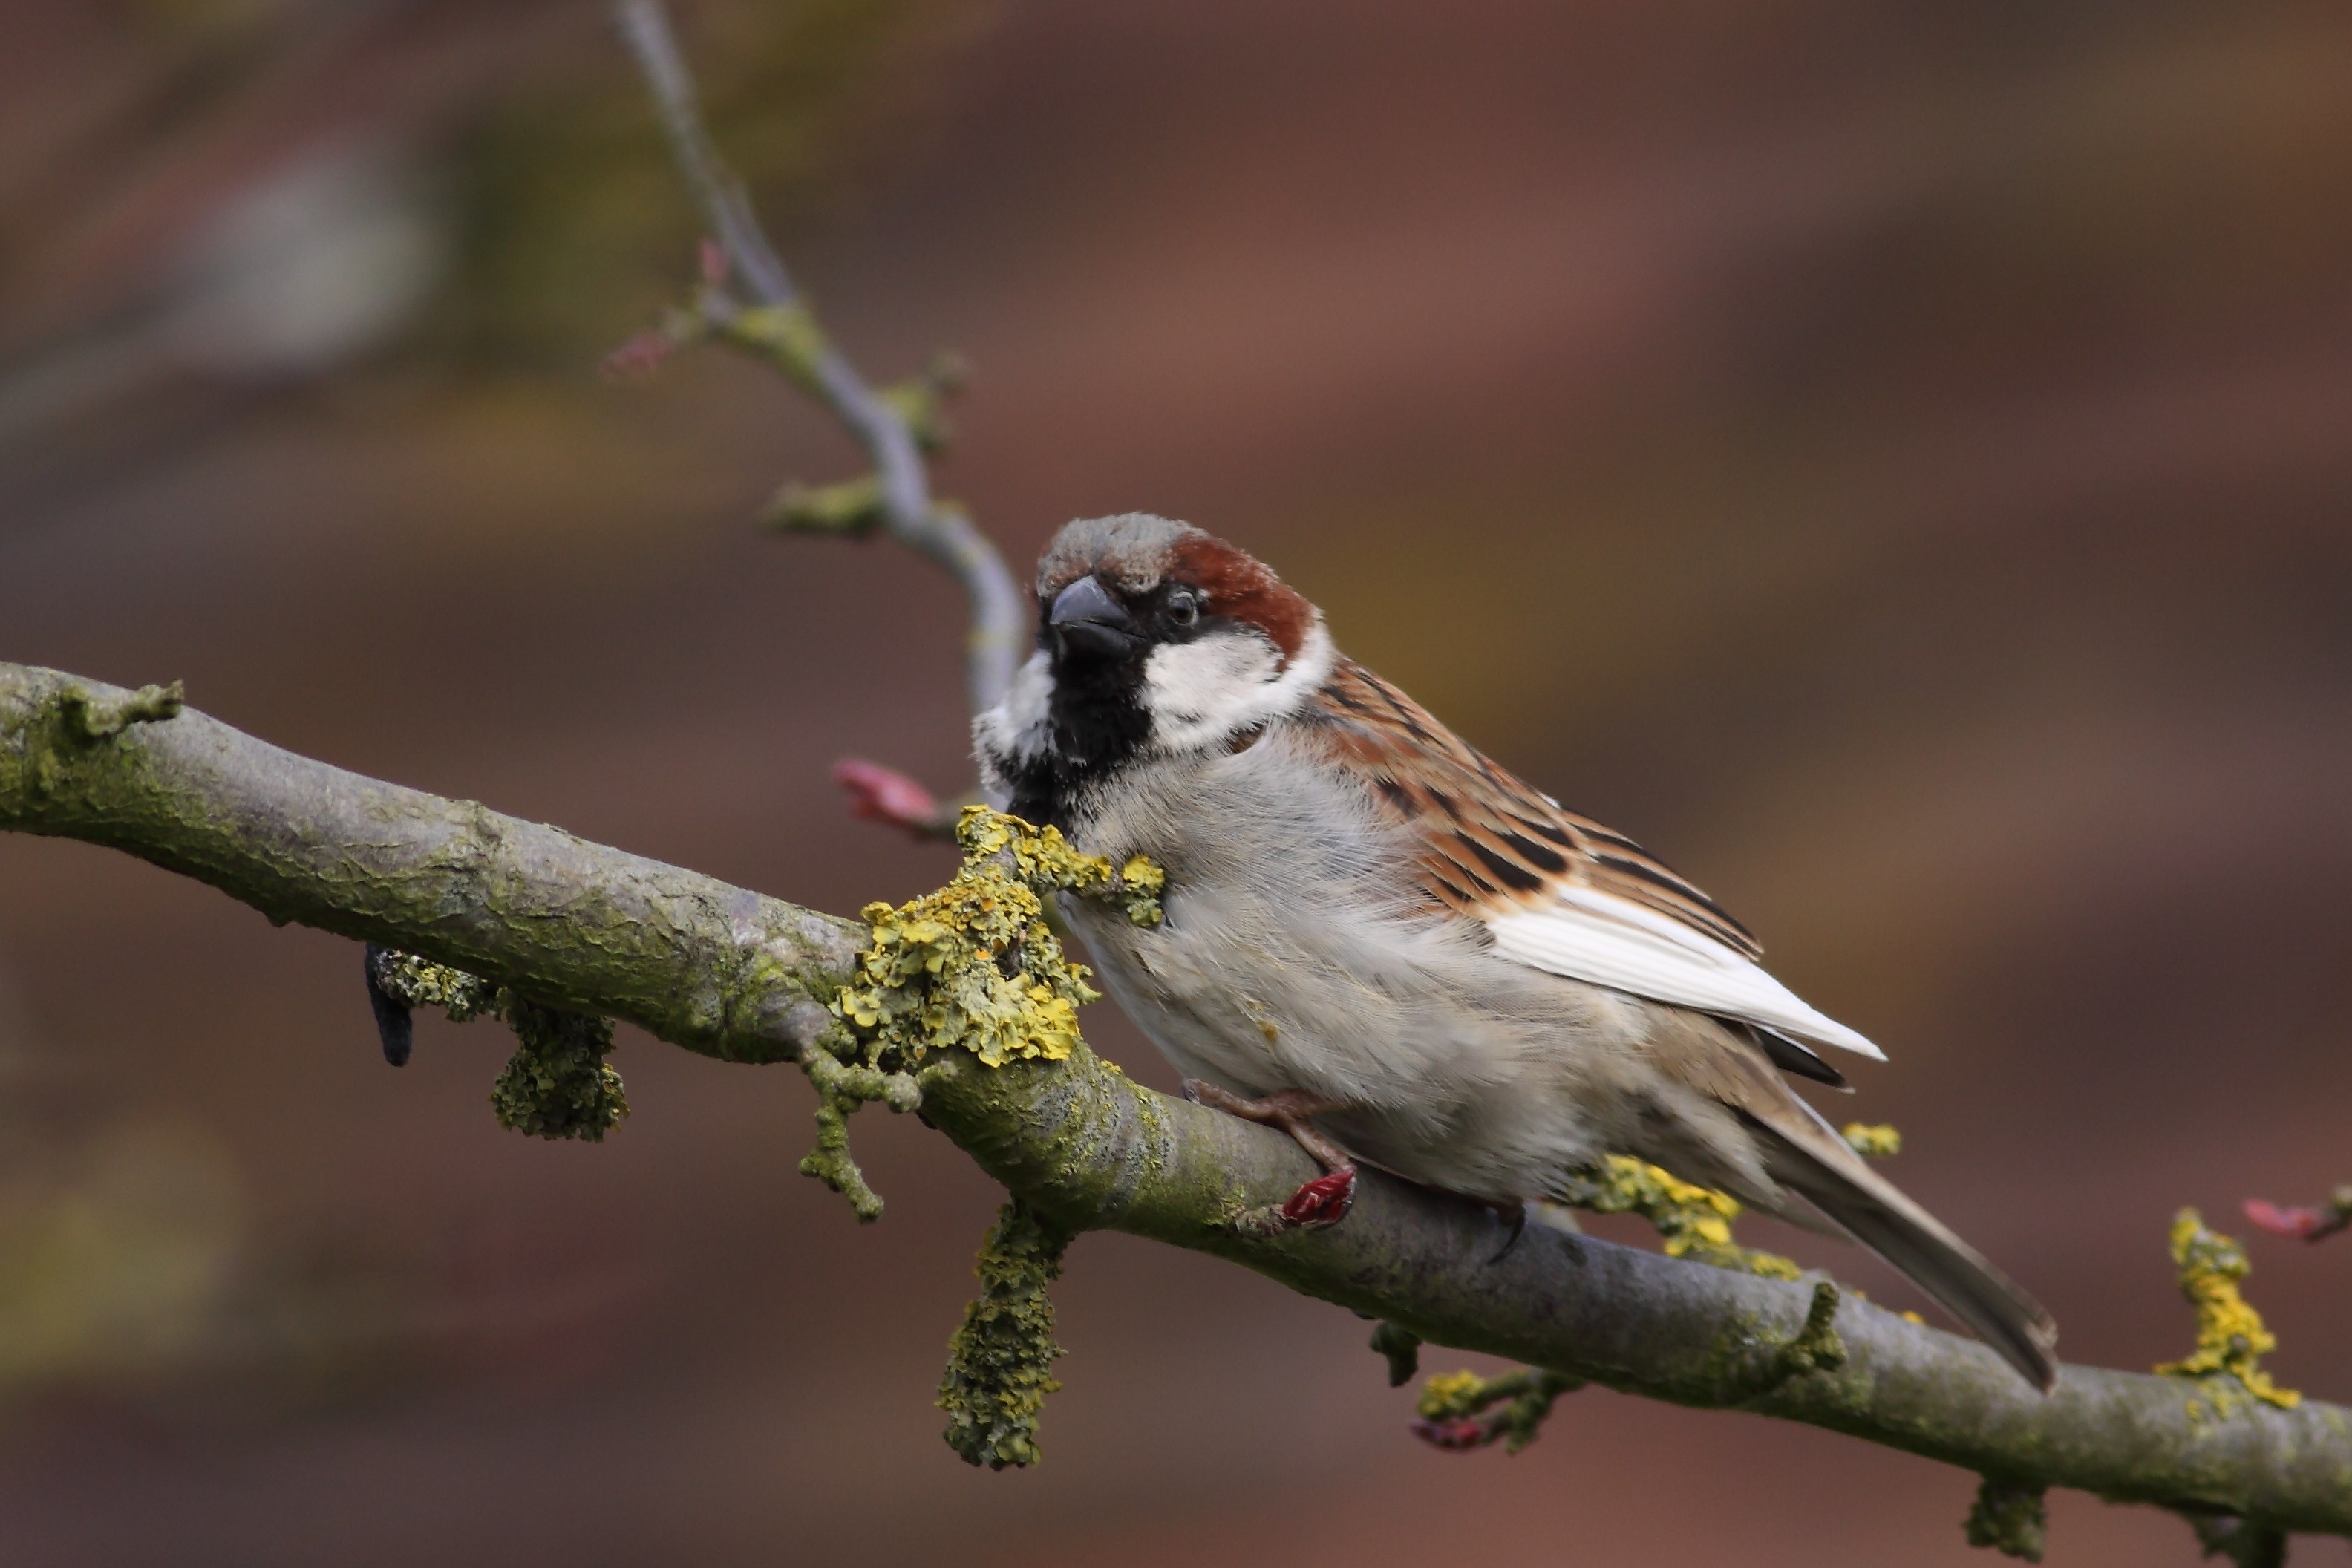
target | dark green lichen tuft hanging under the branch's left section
[{"x": 559, "y": 1083}]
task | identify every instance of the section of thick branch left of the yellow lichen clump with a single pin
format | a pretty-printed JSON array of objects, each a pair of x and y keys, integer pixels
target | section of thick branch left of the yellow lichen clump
[{"x": 563, "y": 923}]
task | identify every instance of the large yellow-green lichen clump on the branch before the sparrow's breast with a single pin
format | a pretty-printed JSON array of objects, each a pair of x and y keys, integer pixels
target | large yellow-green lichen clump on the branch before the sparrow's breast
[{"x": 973, "y": 967}]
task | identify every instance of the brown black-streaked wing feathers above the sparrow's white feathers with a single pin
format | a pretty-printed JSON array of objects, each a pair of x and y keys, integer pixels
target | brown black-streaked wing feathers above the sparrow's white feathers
[{"x": 1492, "y": 840}]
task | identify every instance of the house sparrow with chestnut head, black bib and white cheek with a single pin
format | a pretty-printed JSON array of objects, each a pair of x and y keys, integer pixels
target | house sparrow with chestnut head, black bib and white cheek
[{"x": 1394, "y": 949}]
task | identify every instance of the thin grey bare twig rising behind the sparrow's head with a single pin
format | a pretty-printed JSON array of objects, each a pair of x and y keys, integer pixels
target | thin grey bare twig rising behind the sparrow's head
[{"x": 940, "y": 532}]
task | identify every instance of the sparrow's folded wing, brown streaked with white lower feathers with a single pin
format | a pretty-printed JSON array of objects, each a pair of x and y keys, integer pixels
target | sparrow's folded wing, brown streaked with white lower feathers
[{"x": 1556, "y": 890}]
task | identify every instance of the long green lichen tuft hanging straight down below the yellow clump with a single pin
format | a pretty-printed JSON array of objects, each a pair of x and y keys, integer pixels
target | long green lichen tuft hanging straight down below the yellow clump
[{"x": 1001, "y": 1360}]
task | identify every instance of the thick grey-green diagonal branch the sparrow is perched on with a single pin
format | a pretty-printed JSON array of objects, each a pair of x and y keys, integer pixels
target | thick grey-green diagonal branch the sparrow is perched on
[{"x": 742, "y": 977}]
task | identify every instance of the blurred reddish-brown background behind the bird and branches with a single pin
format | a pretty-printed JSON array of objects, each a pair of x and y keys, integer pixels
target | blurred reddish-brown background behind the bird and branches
[{"x": 1892, "y": 460}]
